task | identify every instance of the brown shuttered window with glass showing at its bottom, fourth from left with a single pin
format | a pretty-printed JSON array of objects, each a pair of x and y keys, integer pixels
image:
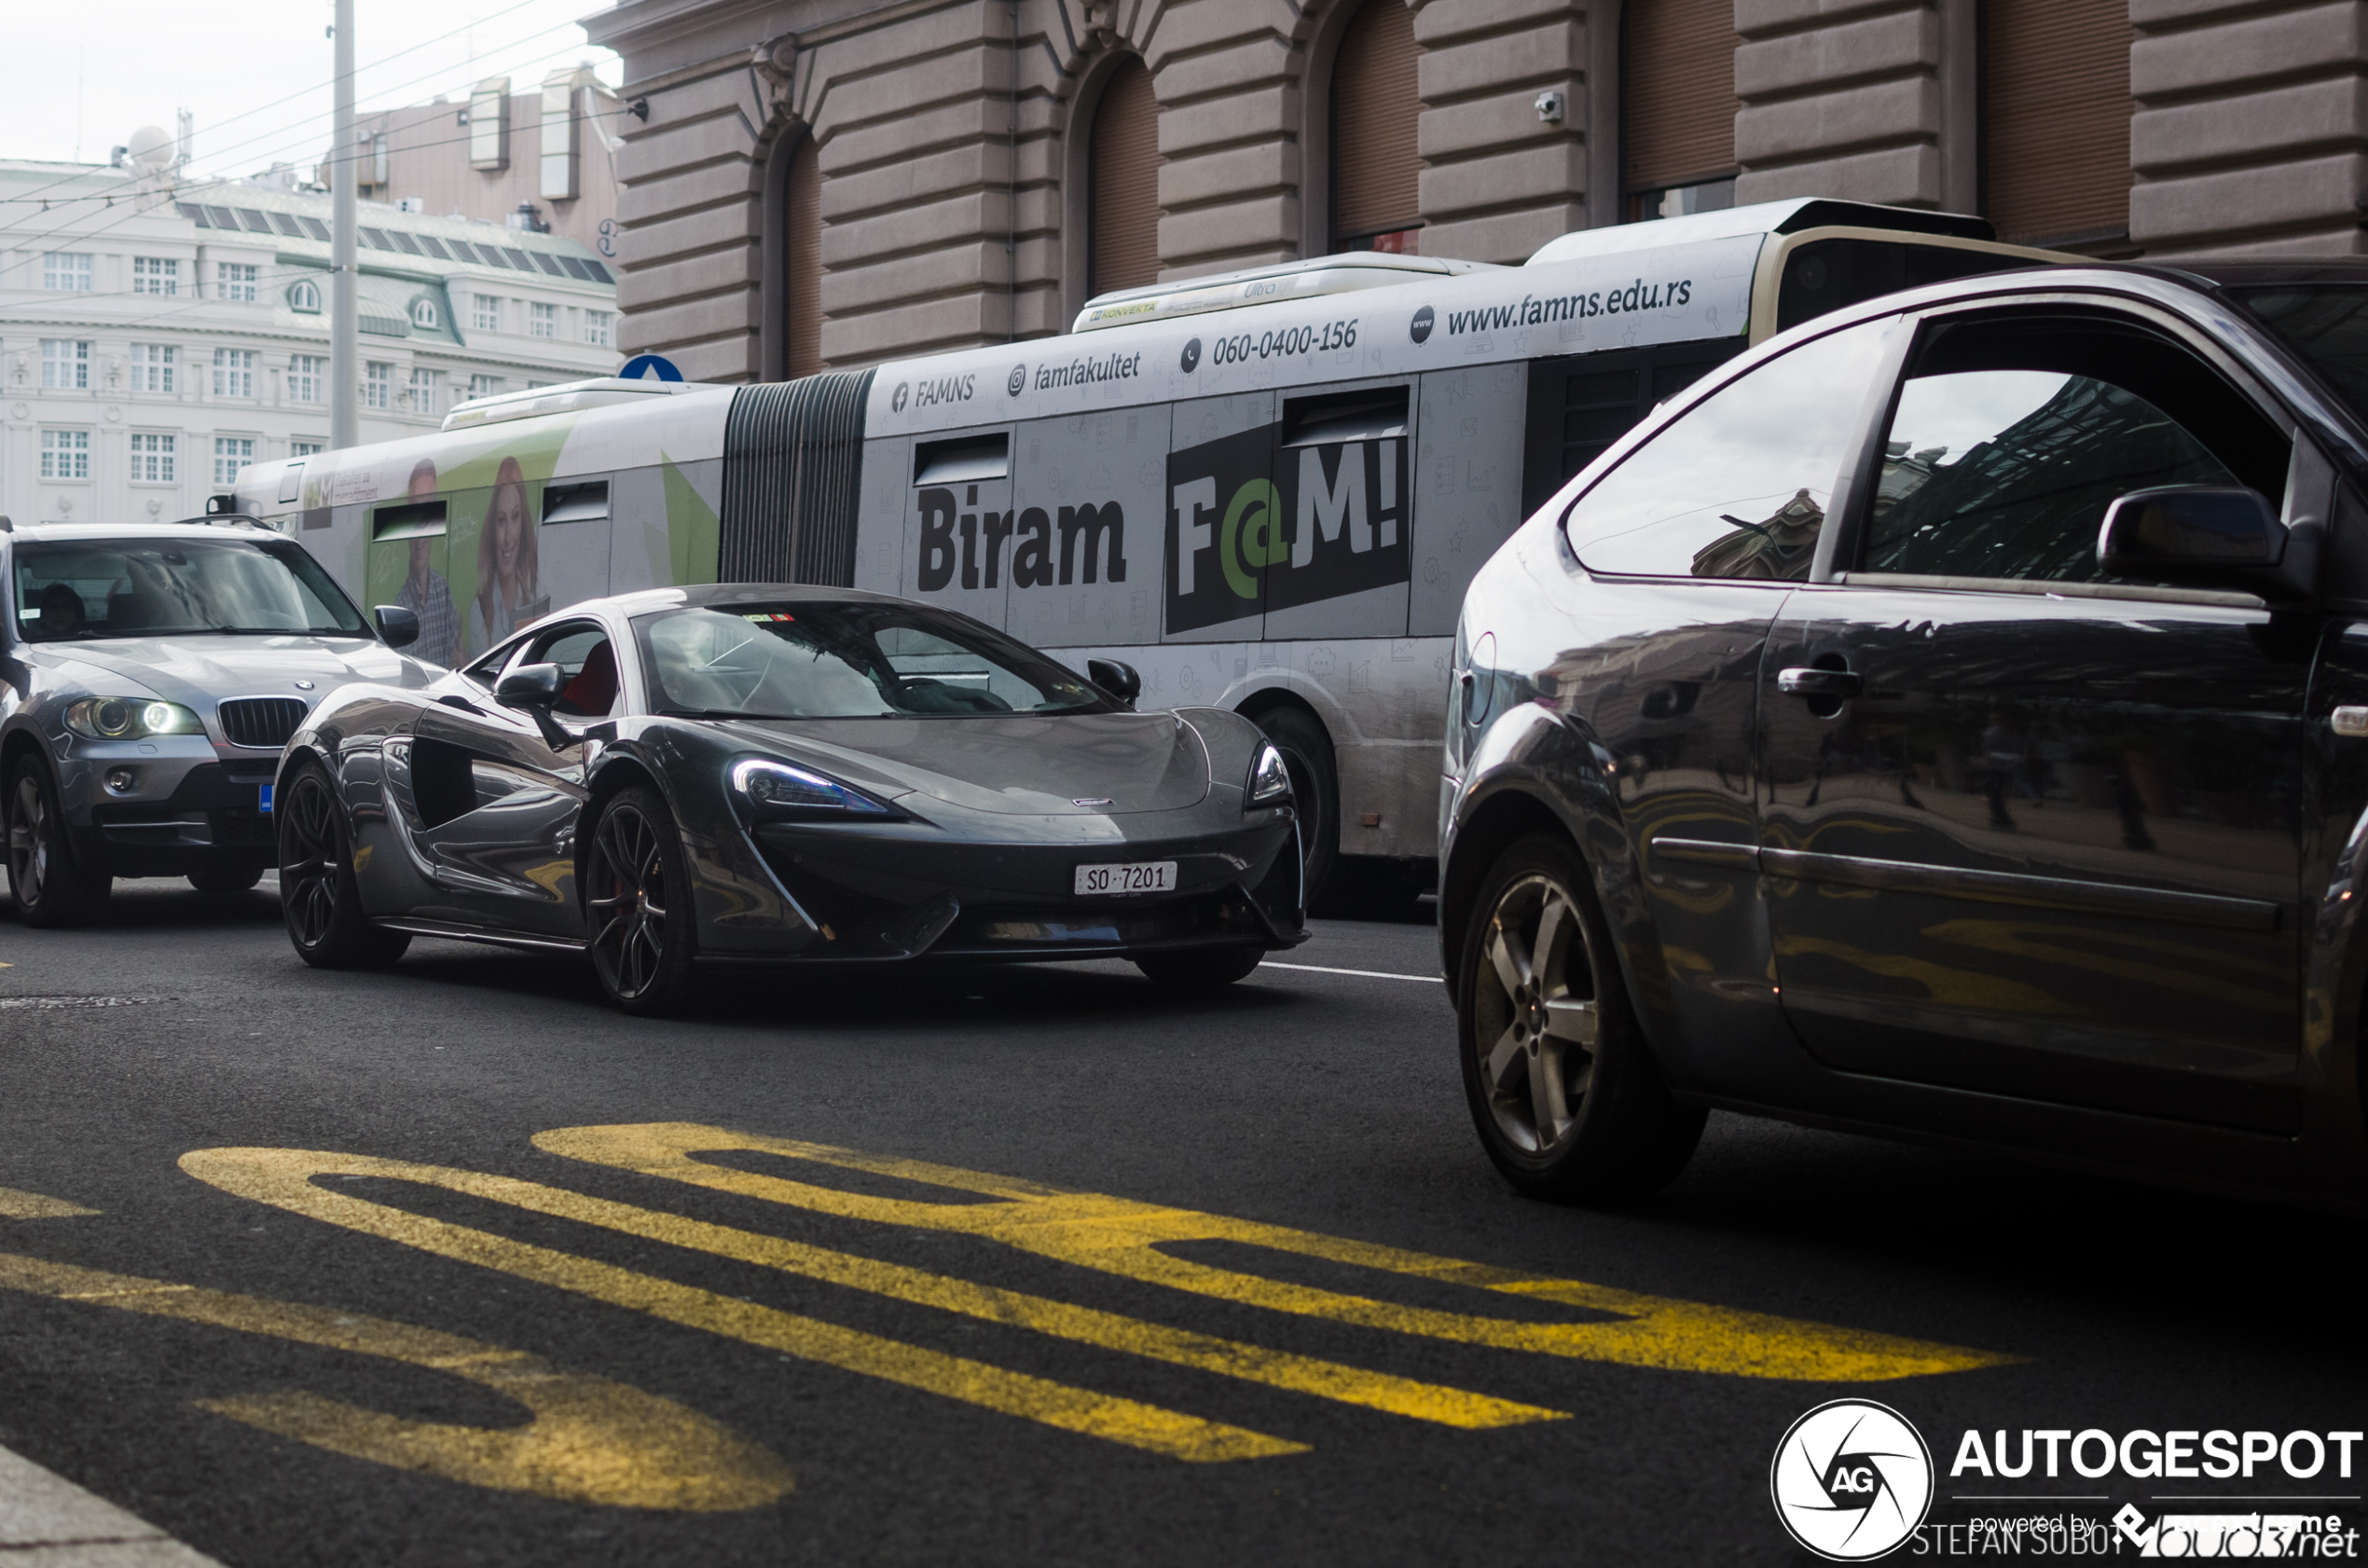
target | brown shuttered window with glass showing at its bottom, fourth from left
[{"x": 1678, "y": 101}]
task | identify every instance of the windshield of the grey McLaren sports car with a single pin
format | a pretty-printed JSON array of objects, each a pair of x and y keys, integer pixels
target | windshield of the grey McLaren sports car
[{"x": 818, "y": 660}]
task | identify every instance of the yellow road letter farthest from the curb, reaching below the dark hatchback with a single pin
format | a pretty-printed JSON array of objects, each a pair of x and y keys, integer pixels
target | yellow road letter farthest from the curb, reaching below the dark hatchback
[{"x": 1124, "y": 1238}]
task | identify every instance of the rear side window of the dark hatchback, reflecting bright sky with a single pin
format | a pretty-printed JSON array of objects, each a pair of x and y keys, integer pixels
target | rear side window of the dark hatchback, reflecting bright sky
[{"x": 1739, "y": 484}]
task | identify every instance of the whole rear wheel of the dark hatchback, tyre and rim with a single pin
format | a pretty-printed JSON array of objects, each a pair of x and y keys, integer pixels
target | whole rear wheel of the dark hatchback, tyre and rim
[{"x": 1555, "y": 1065}]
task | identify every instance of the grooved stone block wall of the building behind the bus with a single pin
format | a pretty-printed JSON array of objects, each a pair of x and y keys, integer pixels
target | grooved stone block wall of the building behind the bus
[{"x": 953, "y": 191}]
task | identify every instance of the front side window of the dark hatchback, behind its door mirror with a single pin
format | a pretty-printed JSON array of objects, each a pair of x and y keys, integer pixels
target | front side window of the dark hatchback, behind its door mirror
[{"x": 2014, "y": 437}]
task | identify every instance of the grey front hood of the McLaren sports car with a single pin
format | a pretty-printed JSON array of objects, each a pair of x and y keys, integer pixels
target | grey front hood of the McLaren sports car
[{"x": 1022, "y": 764}]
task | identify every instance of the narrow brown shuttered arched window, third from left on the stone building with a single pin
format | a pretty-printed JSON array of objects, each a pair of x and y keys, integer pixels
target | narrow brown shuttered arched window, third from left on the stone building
[{"x": 1375, "y": 131}]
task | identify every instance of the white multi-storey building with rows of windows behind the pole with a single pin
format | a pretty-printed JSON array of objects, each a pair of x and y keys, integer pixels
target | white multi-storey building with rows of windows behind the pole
[{"x": 157, "y": 335}]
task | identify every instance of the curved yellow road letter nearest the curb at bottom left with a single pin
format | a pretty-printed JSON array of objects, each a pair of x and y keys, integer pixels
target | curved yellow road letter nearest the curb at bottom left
[{"x": 588, "y": 1441}]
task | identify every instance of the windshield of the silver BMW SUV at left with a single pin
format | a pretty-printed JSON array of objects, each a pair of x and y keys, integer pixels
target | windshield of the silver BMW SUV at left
[{"x": 157, "y": 589}]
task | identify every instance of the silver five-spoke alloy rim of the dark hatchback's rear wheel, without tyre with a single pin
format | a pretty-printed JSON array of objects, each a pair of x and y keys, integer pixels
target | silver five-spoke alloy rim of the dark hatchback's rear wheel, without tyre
[{"x": 1536, "y": 1015}]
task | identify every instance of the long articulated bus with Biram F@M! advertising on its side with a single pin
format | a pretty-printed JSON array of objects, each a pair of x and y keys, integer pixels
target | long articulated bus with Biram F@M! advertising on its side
[{"x": 1266, "y": 491}]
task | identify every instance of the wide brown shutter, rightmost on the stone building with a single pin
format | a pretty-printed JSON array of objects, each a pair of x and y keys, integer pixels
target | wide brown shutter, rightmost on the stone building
[{"x": 2057, "y": 117}]
